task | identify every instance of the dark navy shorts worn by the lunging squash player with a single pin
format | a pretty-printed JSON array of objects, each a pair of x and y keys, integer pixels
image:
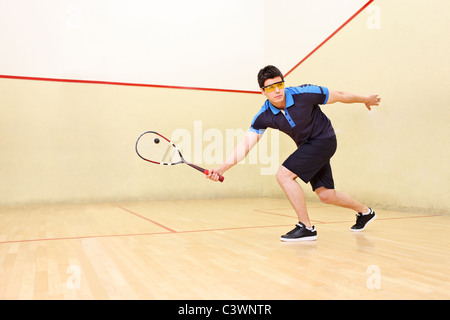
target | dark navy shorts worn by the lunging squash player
[{"x": 311, "y": 162}]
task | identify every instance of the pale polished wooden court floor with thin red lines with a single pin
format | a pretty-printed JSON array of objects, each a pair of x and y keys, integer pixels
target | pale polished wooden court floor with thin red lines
[{"x": 218, "y": 249}]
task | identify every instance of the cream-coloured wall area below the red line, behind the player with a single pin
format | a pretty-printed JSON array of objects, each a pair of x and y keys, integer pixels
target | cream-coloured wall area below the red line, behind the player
[{"x": 70, "y": 142}]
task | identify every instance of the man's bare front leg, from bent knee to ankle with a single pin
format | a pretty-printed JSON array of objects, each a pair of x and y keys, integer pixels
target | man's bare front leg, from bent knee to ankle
[{"x": 294, "y": 192}]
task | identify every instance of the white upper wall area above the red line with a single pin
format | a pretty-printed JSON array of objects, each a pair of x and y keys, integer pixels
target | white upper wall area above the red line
[{"x": 197, "y": 43}]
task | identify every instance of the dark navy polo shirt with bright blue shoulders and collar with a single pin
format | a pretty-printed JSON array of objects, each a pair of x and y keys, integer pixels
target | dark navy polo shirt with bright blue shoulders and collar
[{"x": 302, "y": 119}]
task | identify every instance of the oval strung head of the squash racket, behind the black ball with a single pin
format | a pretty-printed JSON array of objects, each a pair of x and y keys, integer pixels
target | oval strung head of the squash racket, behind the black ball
[{"x": 155, "y": 148}]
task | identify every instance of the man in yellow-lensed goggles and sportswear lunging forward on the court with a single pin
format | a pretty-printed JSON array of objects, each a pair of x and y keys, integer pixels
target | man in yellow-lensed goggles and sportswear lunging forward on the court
[{"x": 296, "y": 112}]
